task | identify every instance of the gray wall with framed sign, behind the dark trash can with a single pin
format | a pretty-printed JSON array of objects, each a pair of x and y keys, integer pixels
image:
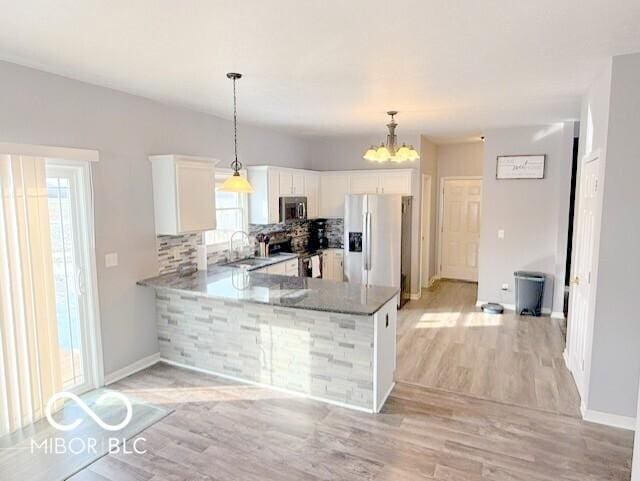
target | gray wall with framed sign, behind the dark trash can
[{"x": 533, "y": 213}]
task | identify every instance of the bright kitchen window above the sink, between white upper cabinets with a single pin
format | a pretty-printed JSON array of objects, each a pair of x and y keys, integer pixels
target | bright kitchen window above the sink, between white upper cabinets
[{"x": 231, "y": 214}]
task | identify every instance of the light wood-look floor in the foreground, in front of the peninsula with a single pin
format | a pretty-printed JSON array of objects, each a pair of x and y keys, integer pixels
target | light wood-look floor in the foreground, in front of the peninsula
[{"x": 222, "y": 430}]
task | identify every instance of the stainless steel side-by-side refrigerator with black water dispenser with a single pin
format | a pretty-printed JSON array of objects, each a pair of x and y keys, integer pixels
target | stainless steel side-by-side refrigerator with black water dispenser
[{"x": 373, "y": 239}]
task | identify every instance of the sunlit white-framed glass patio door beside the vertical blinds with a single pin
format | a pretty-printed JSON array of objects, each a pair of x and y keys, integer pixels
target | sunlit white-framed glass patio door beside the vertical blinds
[{"x": 71, "y": 230}]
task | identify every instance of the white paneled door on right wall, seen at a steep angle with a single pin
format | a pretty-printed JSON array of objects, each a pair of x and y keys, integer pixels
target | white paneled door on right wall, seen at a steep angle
[{"x": 578, "y": 325}]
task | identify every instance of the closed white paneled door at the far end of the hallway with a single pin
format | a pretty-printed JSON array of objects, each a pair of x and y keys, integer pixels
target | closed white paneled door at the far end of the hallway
[{"x": 460, "y": 229}]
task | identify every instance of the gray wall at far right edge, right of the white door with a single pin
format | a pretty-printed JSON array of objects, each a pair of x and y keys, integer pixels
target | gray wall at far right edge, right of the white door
[{"x": 615, "y": 361}]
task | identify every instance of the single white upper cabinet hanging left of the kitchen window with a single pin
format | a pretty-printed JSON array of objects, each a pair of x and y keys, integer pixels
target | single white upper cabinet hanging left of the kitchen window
[{"x": 183, "y": 194}]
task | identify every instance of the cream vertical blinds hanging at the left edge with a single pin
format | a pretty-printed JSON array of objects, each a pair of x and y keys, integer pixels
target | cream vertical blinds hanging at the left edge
[{"x": 29, "y": 353}]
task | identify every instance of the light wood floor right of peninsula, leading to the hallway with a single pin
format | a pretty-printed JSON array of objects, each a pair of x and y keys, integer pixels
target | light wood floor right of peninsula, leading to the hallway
[{"x": 444, "y": 342}]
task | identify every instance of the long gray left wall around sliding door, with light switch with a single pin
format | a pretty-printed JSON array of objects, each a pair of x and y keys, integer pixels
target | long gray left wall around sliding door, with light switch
[{"x": 40, "y": 108}]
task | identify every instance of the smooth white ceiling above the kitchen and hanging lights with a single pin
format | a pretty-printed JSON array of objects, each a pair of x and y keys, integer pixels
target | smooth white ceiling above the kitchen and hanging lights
[{"x": 452, "y": 68}]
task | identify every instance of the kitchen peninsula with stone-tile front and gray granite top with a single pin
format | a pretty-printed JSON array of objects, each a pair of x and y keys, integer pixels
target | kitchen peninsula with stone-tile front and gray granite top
[{"x": 332, "y": 341}]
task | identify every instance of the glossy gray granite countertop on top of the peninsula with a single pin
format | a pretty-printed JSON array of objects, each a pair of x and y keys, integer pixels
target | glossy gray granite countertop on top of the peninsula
[{"x": 229, "y": 283}]
